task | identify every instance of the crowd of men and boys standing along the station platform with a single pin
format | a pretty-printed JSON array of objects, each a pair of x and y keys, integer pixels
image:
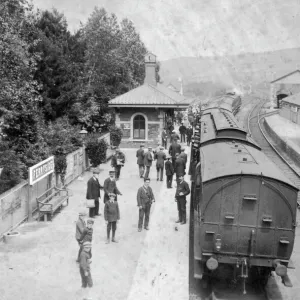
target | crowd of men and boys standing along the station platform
[{"x": 173, "y": 163}]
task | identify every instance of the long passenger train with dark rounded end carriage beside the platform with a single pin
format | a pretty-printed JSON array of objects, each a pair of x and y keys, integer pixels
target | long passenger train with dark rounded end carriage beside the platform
[{"x": 244, "y": 207}]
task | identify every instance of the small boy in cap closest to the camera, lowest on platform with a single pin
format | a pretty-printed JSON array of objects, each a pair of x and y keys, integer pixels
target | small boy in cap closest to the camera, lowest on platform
[{"x": 84, "y": 265}]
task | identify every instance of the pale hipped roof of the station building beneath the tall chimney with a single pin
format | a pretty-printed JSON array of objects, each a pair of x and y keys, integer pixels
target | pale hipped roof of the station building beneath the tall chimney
[{"x": 148, "y": 95}]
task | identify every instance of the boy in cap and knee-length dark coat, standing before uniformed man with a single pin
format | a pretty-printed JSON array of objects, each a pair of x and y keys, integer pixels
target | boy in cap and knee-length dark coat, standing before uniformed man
[{"x": 111, "y": 216}]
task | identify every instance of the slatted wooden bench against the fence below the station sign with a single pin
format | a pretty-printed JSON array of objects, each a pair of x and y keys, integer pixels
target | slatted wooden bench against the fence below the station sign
[{"x": 50, "y": 201}]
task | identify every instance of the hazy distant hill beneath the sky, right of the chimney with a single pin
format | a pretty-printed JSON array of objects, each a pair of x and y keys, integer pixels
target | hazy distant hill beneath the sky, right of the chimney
[{"x": 206, "y": 75}]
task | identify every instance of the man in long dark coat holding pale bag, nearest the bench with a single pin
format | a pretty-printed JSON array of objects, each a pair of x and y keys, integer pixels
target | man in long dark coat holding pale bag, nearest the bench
[{"x": 93, "y": 192}]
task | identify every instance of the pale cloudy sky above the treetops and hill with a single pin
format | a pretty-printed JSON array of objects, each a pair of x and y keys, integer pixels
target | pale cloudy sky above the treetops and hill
[{"x": 173, "y": 28}]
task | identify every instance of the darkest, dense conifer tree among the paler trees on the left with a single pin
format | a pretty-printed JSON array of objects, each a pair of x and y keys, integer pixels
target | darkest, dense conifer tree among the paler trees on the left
[{"x": 61, "y": 65}]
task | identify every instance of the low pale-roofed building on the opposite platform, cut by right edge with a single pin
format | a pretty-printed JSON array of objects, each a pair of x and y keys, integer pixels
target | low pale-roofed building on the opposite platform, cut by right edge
[{"x": 290, "y": 108}]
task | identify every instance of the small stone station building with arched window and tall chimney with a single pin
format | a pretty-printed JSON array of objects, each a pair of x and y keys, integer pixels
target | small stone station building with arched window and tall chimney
[{"x": 142, "y": 113}]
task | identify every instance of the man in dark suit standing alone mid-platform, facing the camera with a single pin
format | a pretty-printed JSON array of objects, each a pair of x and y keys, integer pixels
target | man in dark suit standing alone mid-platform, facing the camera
[{"x": 145, "y": 198}]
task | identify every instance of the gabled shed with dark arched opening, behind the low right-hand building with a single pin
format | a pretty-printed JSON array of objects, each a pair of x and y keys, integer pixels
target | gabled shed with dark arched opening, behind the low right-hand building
[{"x": 284, "y": 86}]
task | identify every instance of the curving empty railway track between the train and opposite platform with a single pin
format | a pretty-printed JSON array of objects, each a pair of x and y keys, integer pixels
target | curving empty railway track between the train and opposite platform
[{"x": 258, "y": 133}]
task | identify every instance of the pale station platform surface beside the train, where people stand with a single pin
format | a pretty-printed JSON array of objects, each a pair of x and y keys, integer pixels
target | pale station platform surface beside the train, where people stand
[{"x": 143, "y": 265}]
